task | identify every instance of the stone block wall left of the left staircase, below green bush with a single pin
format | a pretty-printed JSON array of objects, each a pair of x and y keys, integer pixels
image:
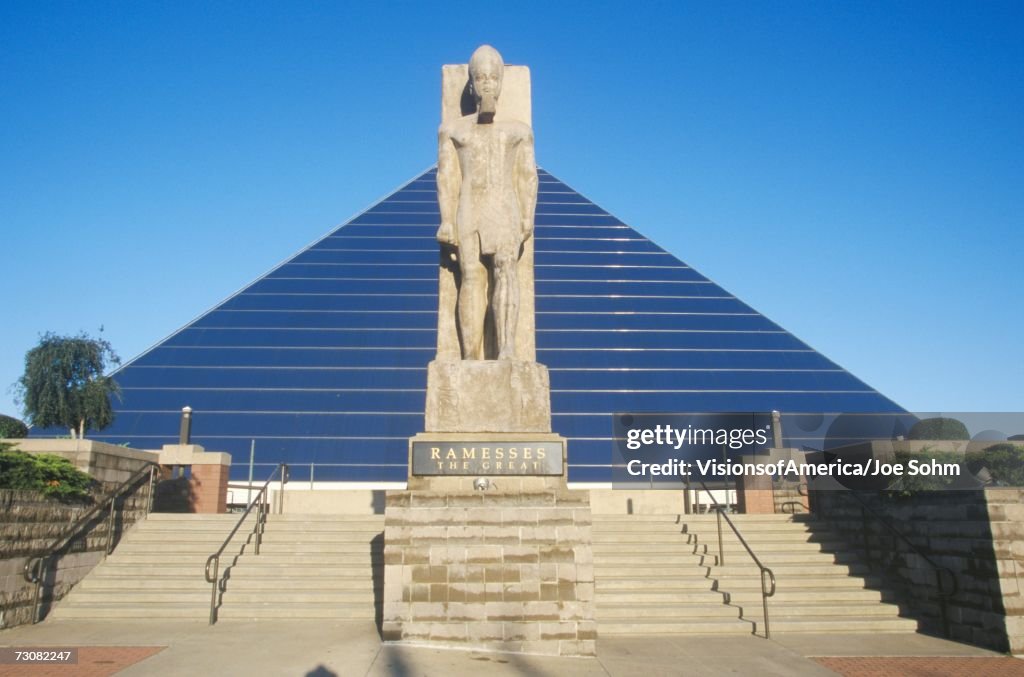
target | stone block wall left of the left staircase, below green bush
[{"x": 29, "y": 523}]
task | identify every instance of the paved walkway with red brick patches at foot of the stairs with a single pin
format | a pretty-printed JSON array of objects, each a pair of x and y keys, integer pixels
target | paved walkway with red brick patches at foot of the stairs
[{"x": 309, "y": 649}]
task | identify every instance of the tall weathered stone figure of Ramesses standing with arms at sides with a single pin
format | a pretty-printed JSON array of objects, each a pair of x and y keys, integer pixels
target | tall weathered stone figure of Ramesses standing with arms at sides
[{"x": 487, "y": 191}]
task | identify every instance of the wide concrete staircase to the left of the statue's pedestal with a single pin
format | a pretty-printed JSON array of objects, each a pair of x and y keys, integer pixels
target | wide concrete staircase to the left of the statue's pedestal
[{"x": 310, "y": 567}]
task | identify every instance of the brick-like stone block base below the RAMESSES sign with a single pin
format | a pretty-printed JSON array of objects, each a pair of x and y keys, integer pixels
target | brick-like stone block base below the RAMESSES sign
[{"x": 493, "y": 571}]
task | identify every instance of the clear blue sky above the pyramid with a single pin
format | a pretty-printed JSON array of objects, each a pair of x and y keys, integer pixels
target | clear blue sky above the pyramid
[{"x": 852, "y": 171}]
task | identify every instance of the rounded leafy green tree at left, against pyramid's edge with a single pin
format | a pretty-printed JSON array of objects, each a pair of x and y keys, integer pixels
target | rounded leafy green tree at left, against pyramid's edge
[{"x": 65, "y": 384}]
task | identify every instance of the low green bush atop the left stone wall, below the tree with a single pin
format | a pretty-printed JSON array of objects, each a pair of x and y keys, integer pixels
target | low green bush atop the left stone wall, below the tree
[{"x": 53, "y": 476}]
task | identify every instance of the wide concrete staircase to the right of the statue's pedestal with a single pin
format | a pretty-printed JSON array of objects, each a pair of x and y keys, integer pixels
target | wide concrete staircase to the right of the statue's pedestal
[{"x": 658, "y": 577}]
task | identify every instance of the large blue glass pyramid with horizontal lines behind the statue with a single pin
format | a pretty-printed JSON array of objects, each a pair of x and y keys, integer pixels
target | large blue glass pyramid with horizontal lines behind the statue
[{"x": 323, "y": 361}]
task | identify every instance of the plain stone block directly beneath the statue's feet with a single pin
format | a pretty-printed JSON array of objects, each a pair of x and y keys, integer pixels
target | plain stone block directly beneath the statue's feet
[{"x": 488, "y": 396}]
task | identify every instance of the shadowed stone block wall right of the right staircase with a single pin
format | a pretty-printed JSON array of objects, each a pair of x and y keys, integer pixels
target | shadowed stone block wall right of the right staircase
[{"x": 977, "y": 535}]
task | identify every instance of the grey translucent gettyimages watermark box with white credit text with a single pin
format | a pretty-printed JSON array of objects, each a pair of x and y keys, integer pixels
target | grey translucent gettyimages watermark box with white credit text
[{"x": 821, "y": 451}]
